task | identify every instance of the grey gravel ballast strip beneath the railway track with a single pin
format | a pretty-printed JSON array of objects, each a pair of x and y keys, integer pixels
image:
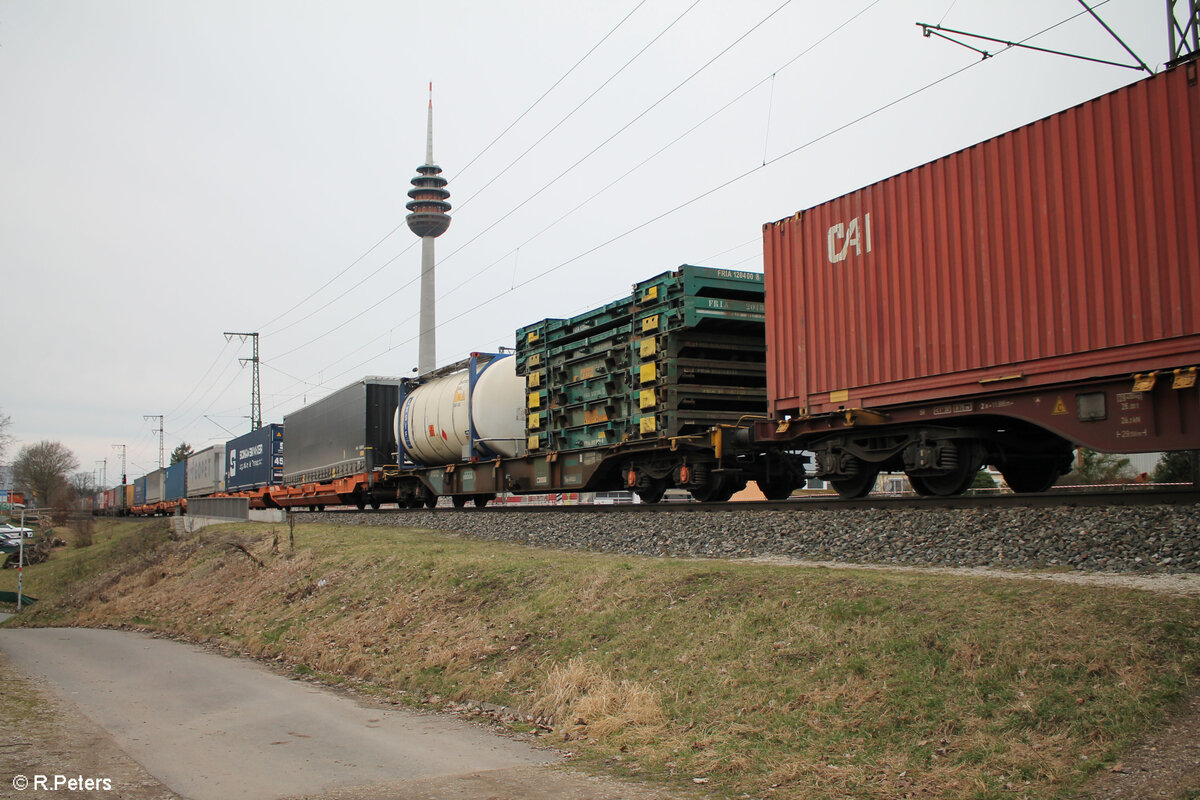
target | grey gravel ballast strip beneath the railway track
[{"x": 1120, "y": 539}]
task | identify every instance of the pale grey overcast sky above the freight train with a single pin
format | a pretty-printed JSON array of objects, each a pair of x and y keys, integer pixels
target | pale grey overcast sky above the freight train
[{"x": 172, "y": 171}]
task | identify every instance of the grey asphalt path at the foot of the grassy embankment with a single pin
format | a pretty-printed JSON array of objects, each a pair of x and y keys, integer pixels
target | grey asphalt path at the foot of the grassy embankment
[{"x": 220, "y": 729}]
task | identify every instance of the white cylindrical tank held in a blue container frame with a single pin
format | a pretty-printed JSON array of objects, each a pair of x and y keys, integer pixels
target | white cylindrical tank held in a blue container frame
[{"x": 433, "y": 425}]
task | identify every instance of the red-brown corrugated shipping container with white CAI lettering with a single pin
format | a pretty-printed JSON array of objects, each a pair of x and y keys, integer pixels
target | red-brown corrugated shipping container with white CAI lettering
[{"x": 1061, "y": 251}]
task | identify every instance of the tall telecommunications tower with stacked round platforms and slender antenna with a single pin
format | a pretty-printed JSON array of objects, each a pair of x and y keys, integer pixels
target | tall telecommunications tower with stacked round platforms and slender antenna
[{"x": 429, "y": 220}]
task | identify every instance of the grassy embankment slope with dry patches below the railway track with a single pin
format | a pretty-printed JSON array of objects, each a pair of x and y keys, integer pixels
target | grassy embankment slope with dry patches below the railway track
[{"x": 763, "y": 681}]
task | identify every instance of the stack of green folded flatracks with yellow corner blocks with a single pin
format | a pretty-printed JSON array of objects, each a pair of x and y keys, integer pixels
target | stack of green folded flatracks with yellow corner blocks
[{"x": 685, "y": 352}]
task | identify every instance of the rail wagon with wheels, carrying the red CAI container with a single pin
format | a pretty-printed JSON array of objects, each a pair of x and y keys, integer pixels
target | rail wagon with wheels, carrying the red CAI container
[{"x": 1000, "y": 305}]
